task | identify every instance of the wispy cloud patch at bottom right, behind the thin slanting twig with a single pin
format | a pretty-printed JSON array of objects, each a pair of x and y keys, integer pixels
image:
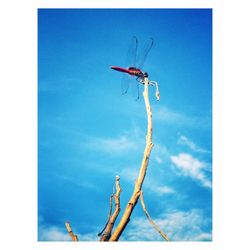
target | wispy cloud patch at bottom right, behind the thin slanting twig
[{"x": 178, "y": 225}]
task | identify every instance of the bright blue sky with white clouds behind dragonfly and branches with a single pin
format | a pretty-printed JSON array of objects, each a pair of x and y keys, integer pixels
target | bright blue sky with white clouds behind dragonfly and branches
[{"x": 88, "y": 132}]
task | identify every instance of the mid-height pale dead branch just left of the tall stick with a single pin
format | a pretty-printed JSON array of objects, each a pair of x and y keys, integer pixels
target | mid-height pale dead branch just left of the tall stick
[{"x": 111, "y": 220}]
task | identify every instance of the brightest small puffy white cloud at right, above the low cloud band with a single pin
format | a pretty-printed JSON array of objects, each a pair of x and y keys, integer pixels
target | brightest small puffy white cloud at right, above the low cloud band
[{"x": 190, "y": 166}]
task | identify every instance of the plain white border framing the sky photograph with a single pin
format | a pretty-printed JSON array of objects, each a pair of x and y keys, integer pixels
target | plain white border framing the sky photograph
[{"x": 18, "y": 103}]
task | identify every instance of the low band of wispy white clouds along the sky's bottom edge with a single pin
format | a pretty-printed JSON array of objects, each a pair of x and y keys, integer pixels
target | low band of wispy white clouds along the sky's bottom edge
[{"x": 178, "y": 225}]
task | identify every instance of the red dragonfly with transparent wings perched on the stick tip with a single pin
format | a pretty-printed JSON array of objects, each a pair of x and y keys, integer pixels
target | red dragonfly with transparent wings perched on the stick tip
[{"x": 134, "y": 71}]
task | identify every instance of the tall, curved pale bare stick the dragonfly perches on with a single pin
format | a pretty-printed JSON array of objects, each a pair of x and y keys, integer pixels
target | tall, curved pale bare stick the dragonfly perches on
[{"x": 138, "y": 184}]
